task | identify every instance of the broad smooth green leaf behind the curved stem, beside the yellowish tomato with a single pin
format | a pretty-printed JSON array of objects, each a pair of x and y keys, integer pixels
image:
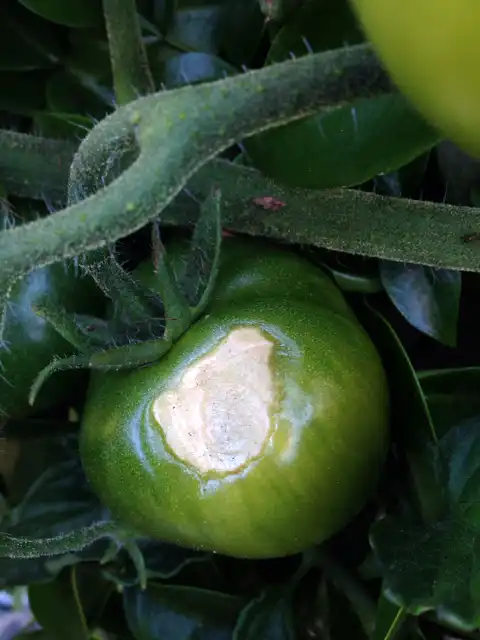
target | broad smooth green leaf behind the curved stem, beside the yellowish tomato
[{"x": 345, "y": 147}]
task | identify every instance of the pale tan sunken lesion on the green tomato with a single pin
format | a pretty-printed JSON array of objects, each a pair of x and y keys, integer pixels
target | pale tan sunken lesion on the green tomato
[{"x": 218, "y": 416}]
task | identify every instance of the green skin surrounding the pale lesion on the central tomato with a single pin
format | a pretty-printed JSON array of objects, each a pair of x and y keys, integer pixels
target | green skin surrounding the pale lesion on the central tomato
[{"x": 314, "y": 474}]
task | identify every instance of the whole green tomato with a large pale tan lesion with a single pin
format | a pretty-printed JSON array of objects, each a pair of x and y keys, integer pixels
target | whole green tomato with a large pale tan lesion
[{"x": 261, "y": 432}]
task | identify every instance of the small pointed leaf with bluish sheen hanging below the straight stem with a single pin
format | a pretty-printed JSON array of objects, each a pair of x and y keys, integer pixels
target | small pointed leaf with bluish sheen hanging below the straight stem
[{"x": 428, "y": 298}]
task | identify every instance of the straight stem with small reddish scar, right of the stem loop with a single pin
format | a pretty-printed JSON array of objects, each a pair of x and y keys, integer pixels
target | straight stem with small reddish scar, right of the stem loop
[{"x": 339, "y": 219}]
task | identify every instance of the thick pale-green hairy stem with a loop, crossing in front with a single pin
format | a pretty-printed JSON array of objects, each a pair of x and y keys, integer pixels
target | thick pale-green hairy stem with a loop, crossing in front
[{"x": 177, "y": 132}]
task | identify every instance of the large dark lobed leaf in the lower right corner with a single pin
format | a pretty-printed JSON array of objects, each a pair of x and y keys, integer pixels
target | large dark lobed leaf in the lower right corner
[{"x": 436, "y": 567}]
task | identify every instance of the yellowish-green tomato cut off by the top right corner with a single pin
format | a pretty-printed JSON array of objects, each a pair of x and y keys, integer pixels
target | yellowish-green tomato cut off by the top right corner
[{"x": 431, "y": 50}]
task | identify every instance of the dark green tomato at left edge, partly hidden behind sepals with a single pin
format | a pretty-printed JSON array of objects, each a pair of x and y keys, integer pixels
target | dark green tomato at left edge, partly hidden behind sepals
[{"x": 30, "y": 343}]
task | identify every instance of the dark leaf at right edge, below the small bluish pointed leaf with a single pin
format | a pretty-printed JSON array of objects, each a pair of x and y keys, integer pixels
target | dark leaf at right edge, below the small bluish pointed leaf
[{"x": 452, "y": 395}]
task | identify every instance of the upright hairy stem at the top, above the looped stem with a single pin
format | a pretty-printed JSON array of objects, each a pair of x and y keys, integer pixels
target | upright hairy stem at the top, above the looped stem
[{"x": 131, "y": 73}]
